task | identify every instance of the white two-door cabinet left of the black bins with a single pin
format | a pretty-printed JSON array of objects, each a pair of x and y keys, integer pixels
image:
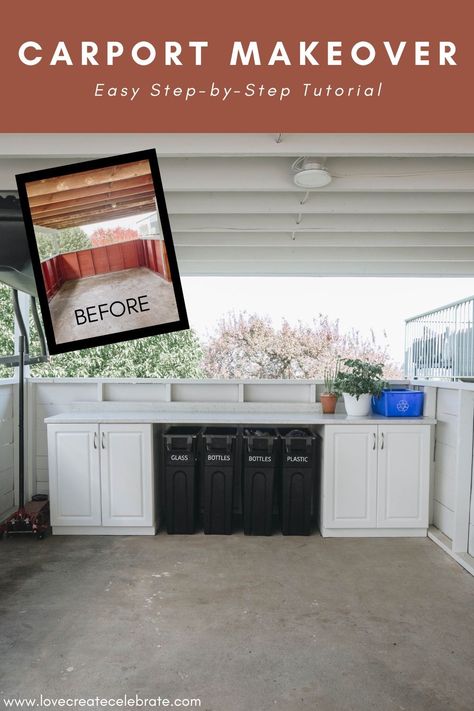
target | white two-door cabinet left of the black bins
[{"x": 101, "y": 478}]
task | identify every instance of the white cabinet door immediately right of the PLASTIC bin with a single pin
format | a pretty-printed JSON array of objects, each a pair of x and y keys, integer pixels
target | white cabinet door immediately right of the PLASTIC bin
[{"x": 350, "y": 476}]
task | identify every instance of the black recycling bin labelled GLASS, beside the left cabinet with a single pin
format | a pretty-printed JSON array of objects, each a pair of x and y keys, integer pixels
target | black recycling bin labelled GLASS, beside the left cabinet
[{"x": 181, "y": 447}]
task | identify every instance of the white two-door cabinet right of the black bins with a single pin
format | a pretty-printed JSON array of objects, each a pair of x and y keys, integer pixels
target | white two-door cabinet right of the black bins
[{"x": 375, "y": 480}]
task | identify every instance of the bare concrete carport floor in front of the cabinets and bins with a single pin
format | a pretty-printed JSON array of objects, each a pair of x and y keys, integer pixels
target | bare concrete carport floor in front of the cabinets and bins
[{"x": 242, "y": 623}]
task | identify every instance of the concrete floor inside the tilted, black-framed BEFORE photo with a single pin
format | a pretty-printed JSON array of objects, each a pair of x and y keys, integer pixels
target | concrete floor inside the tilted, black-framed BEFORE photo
[{"x": 105, "y": 289}]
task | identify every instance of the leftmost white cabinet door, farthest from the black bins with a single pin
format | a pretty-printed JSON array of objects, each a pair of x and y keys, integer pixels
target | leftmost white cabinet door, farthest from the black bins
[{"x": 74, "y": 475}]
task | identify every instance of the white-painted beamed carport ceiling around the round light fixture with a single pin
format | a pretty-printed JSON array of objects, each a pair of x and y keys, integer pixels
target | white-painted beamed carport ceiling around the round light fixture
[{"x": 398, "y": 205}]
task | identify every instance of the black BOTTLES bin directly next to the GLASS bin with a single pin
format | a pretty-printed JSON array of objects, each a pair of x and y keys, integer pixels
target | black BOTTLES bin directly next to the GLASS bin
[{"x": 219, "y": 461}]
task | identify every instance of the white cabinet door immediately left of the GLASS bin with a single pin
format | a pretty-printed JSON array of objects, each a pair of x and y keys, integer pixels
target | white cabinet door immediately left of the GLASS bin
[{"x": 126, "y": 475}]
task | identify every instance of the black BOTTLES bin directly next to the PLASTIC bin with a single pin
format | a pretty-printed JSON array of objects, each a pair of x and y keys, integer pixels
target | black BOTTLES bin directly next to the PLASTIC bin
[{"x": 260, "y": 461}]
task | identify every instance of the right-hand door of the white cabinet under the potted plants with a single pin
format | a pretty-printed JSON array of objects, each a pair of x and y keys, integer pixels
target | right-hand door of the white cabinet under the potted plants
[{"x": 403, "y": 476}]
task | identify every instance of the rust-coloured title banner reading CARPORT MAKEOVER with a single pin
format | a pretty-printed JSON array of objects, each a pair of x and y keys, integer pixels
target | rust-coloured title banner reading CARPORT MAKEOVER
[{"x": 252, "y": 66}]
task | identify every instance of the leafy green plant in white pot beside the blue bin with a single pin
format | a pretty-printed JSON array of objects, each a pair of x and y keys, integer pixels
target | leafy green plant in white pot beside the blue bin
[{"x": 358, "y": 380}]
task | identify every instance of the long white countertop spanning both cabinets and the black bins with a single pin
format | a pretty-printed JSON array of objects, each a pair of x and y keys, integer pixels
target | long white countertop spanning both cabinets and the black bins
[{"x": 215, "y": 416}]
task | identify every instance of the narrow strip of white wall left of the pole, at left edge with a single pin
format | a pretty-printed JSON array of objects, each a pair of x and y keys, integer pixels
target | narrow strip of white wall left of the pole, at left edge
[{"x": 7, "y": 452}]
